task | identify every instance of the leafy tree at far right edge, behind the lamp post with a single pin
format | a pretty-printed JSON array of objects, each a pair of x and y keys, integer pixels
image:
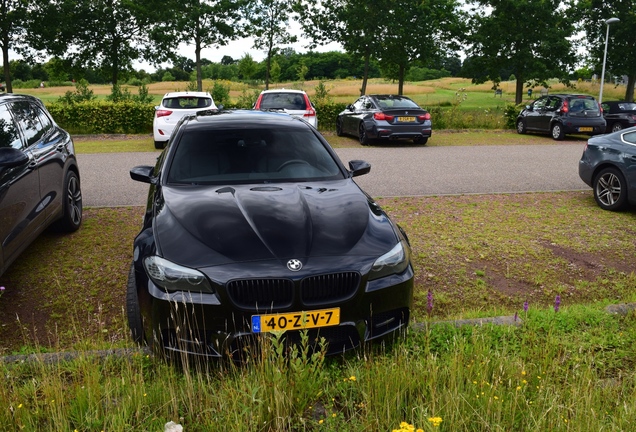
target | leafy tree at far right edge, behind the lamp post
[{"x": 621, "y": 51}]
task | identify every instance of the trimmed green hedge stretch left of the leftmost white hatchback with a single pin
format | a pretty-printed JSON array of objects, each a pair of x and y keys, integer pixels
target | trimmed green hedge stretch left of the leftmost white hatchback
[{"x": 95, "y": 117}]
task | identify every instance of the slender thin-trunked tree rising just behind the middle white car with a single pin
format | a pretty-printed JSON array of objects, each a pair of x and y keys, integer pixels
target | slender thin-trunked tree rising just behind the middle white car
[{"x": 270, "y": 27}]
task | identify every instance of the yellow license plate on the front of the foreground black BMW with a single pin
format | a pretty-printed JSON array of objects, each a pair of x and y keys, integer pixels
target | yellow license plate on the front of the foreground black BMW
[{"x": 295, "y": 320}]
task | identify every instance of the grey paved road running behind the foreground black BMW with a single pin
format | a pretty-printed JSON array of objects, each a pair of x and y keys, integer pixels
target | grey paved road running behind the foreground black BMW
[{"x": 400, "y": 171}]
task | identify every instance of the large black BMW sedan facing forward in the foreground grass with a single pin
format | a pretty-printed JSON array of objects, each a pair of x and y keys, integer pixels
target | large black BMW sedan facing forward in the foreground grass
[{"x": 253, "y": 225}]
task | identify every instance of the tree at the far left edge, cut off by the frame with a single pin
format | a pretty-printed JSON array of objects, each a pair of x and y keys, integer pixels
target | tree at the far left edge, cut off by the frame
[{"x": 13, "y": 27}]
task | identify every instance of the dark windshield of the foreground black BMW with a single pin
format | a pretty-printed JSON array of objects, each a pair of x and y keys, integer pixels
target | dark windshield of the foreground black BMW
[{"x": 251, "y": 155}]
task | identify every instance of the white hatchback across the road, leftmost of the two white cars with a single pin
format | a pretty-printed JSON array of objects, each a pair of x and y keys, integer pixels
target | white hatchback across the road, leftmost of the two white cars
[{"x": 173, "y": 107}]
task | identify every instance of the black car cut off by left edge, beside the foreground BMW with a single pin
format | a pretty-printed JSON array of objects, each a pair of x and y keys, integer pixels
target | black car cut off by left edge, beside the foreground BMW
[{"x": 39, "y": 177}]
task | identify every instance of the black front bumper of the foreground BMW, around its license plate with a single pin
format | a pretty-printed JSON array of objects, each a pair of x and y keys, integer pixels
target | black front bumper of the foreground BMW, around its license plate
[{"x": 213, "y": 325}]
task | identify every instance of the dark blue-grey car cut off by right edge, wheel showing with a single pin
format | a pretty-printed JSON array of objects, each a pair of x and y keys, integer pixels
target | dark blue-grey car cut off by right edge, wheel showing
[{"x": 608, "y": 165}]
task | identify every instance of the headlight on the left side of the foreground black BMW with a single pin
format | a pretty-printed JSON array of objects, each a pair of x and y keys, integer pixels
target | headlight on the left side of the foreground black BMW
[{"x": 173, "y": 277}]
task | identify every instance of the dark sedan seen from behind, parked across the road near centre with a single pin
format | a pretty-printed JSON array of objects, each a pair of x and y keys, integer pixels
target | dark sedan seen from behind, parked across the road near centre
[{"x": 385, "y": 117}]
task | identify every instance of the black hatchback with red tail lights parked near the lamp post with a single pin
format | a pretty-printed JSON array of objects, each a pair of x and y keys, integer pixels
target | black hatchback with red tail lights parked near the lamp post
[{"x": 562, "y": 114}]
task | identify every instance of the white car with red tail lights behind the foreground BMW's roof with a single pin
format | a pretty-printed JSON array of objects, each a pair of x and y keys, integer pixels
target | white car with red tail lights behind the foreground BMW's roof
[{"x": 296, "y": 103}]
